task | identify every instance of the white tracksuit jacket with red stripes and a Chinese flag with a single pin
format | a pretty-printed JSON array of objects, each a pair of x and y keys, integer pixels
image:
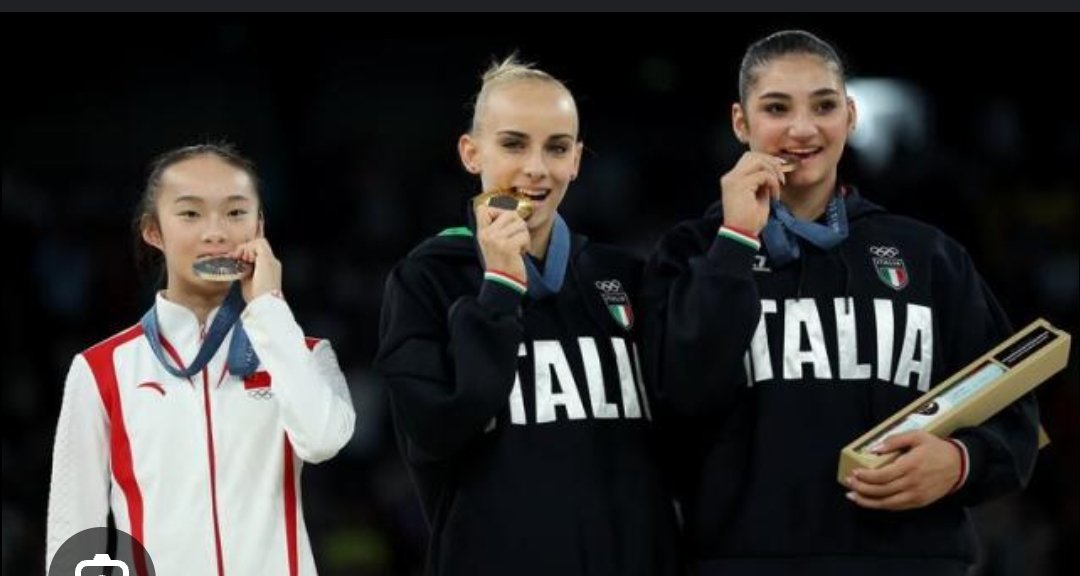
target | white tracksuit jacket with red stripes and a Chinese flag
[{"x": 204, "y": 472}]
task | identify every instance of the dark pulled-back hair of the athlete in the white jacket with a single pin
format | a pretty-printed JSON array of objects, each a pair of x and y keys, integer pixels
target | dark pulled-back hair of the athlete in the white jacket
[{"x": 148, "y": 260}]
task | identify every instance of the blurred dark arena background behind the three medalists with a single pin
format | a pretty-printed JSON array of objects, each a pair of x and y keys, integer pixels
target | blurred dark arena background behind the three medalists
[{"x": 355, "y": 132}]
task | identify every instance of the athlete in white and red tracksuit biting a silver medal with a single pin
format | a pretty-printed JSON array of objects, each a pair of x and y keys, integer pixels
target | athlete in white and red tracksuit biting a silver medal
[{"x": 204, "y": 471}]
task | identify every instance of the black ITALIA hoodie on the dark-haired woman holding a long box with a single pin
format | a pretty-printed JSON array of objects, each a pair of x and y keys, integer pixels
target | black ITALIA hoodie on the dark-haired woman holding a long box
[{"x": 769, "y": 372}]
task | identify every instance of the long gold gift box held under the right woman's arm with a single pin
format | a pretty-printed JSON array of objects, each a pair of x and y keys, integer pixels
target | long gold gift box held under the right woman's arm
[{"x": 973, "y": 395}]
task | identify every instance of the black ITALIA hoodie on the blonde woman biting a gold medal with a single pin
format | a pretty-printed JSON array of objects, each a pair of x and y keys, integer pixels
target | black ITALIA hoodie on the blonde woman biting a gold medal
[{"x": 524, "y": 423}]
